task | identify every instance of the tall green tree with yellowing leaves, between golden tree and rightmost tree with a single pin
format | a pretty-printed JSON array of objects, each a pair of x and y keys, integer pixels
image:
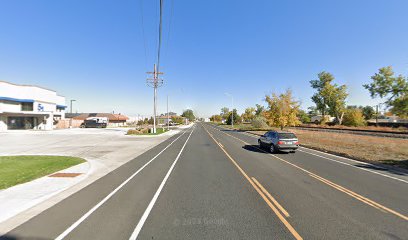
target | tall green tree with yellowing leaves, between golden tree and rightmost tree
[{"x": 329, "y": 98}]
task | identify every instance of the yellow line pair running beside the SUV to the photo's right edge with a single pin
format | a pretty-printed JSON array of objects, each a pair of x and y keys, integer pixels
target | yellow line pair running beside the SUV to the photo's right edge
[{"x": 329, "y": 183}]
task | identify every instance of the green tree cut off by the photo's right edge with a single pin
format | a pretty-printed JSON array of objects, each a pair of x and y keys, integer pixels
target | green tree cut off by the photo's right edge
[{"x": 394, "y": 88}]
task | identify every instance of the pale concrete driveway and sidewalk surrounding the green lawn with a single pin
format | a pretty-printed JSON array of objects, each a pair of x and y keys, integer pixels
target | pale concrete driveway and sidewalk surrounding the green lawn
[{"x": 104, "y": 150}]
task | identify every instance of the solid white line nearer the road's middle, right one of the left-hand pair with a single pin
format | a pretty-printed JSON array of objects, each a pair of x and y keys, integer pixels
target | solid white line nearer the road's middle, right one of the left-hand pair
[{"x": 149, "y": 208}]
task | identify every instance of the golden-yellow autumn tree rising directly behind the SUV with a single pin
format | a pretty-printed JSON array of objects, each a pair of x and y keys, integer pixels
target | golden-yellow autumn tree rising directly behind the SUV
[{"x": 282, "y": 110}]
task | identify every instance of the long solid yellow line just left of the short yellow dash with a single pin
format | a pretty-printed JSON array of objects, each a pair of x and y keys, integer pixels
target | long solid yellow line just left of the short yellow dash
[{"x": 265, "y": 198}]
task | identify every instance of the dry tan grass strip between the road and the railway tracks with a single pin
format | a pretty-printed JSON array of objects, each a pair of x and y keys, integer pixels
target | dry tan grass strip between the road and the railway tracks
[{"x": 393, "y": 151}]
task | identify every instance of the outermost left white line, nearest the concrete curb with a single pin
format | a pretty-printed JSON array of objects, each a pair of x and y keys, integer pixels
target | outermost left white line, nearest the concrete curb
[{"x": 86, "y": 215}]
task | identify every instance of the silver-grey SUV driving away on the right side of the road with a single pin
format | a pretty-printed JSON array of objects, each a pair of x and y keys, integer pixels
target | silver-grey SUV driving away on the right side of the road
[{"x": 279, "y": 141}]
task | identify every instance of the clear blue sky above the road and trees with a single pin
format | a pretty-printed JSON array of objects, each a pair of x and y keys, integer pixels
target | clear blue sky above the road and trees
[{"x": 98, "y": 52}]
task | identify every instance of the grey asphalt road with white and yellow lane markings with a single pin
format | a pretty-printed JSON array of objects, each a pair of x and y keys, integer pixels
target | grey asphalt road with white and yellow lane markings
[{"x": 212, "y": 183}]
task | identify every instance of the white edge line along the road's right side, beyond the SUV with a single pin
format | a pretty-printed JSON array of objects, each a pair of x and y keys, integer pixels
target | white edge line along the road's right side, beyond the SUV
[{"x": 344, "y": 163}]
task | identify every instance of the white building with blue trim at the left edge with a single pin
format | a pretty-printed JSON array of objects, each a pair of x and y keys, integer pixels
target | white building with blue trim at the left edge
[{"x": 29, "y": 107}]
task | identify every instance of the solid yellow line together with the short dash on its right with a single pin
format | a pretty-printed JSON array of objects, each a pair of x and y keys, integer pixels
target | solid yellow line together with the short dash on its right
[{"x": 267, "y": 197}]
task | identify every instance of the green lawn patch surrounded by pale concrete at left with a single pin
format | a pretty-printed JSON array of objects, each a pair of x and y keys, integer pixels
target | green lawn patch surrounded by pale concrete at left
[{"x": 20, "y": 169}]
